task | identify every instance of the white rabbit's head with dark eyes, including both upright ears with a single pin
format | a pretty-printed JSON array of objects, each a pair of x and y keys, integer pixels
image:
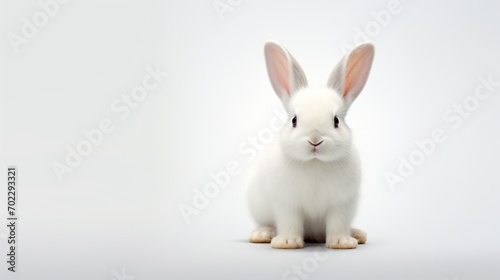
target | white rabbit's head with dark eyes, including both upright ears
[{"x": 316, "y": 129}]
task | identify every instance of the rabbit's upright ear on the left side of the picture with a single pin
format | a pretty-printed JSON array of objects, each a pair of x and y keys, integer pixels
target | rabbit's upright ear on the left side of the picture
[{"x": 284, "y": 71}]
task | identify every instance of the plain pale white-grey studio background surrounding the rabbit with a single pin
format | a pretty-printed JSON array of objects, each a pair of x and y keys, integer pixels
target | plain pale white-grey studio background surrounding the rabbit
[{"x": 118, "y": 212}]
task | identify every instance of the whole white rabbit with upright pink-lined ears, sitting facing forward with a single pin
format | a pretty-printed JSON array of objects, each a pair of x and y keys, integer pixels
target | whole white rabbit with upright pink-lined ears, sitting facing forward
[{"x": 305, "y": 185}]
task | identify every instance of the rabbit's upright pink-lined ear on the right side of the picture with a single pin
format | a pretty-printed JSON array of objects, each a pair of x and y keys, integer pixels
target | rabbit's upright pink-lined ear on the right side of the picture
[{"x": 350, "y": 75}]
